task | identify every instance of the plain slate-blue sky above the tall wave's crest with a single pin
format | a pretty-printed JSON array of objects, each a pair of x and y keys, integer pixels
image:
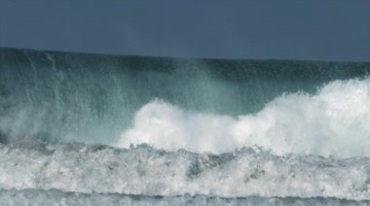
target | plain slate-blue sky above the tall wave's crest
[{"x": 336, "y": 30}]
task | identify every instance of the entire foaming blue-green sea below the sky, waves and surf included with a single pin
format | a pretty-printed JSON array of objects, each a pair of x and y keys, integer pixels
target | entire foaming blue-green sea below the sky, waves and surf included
[{"x": 83, "y": 129}]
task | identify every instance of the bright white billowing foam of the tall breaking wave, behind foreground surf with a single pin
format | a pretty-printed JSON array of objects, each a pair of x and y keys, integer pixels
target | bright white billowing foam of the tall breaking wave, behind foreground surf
[{"x": 335, "y": 121}]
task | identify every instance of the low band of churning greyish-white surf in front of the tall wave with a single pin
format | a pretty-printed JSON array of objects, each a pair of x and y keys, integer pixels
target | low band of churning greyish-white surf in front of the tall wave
[{"x": 146, "y": 171}]
